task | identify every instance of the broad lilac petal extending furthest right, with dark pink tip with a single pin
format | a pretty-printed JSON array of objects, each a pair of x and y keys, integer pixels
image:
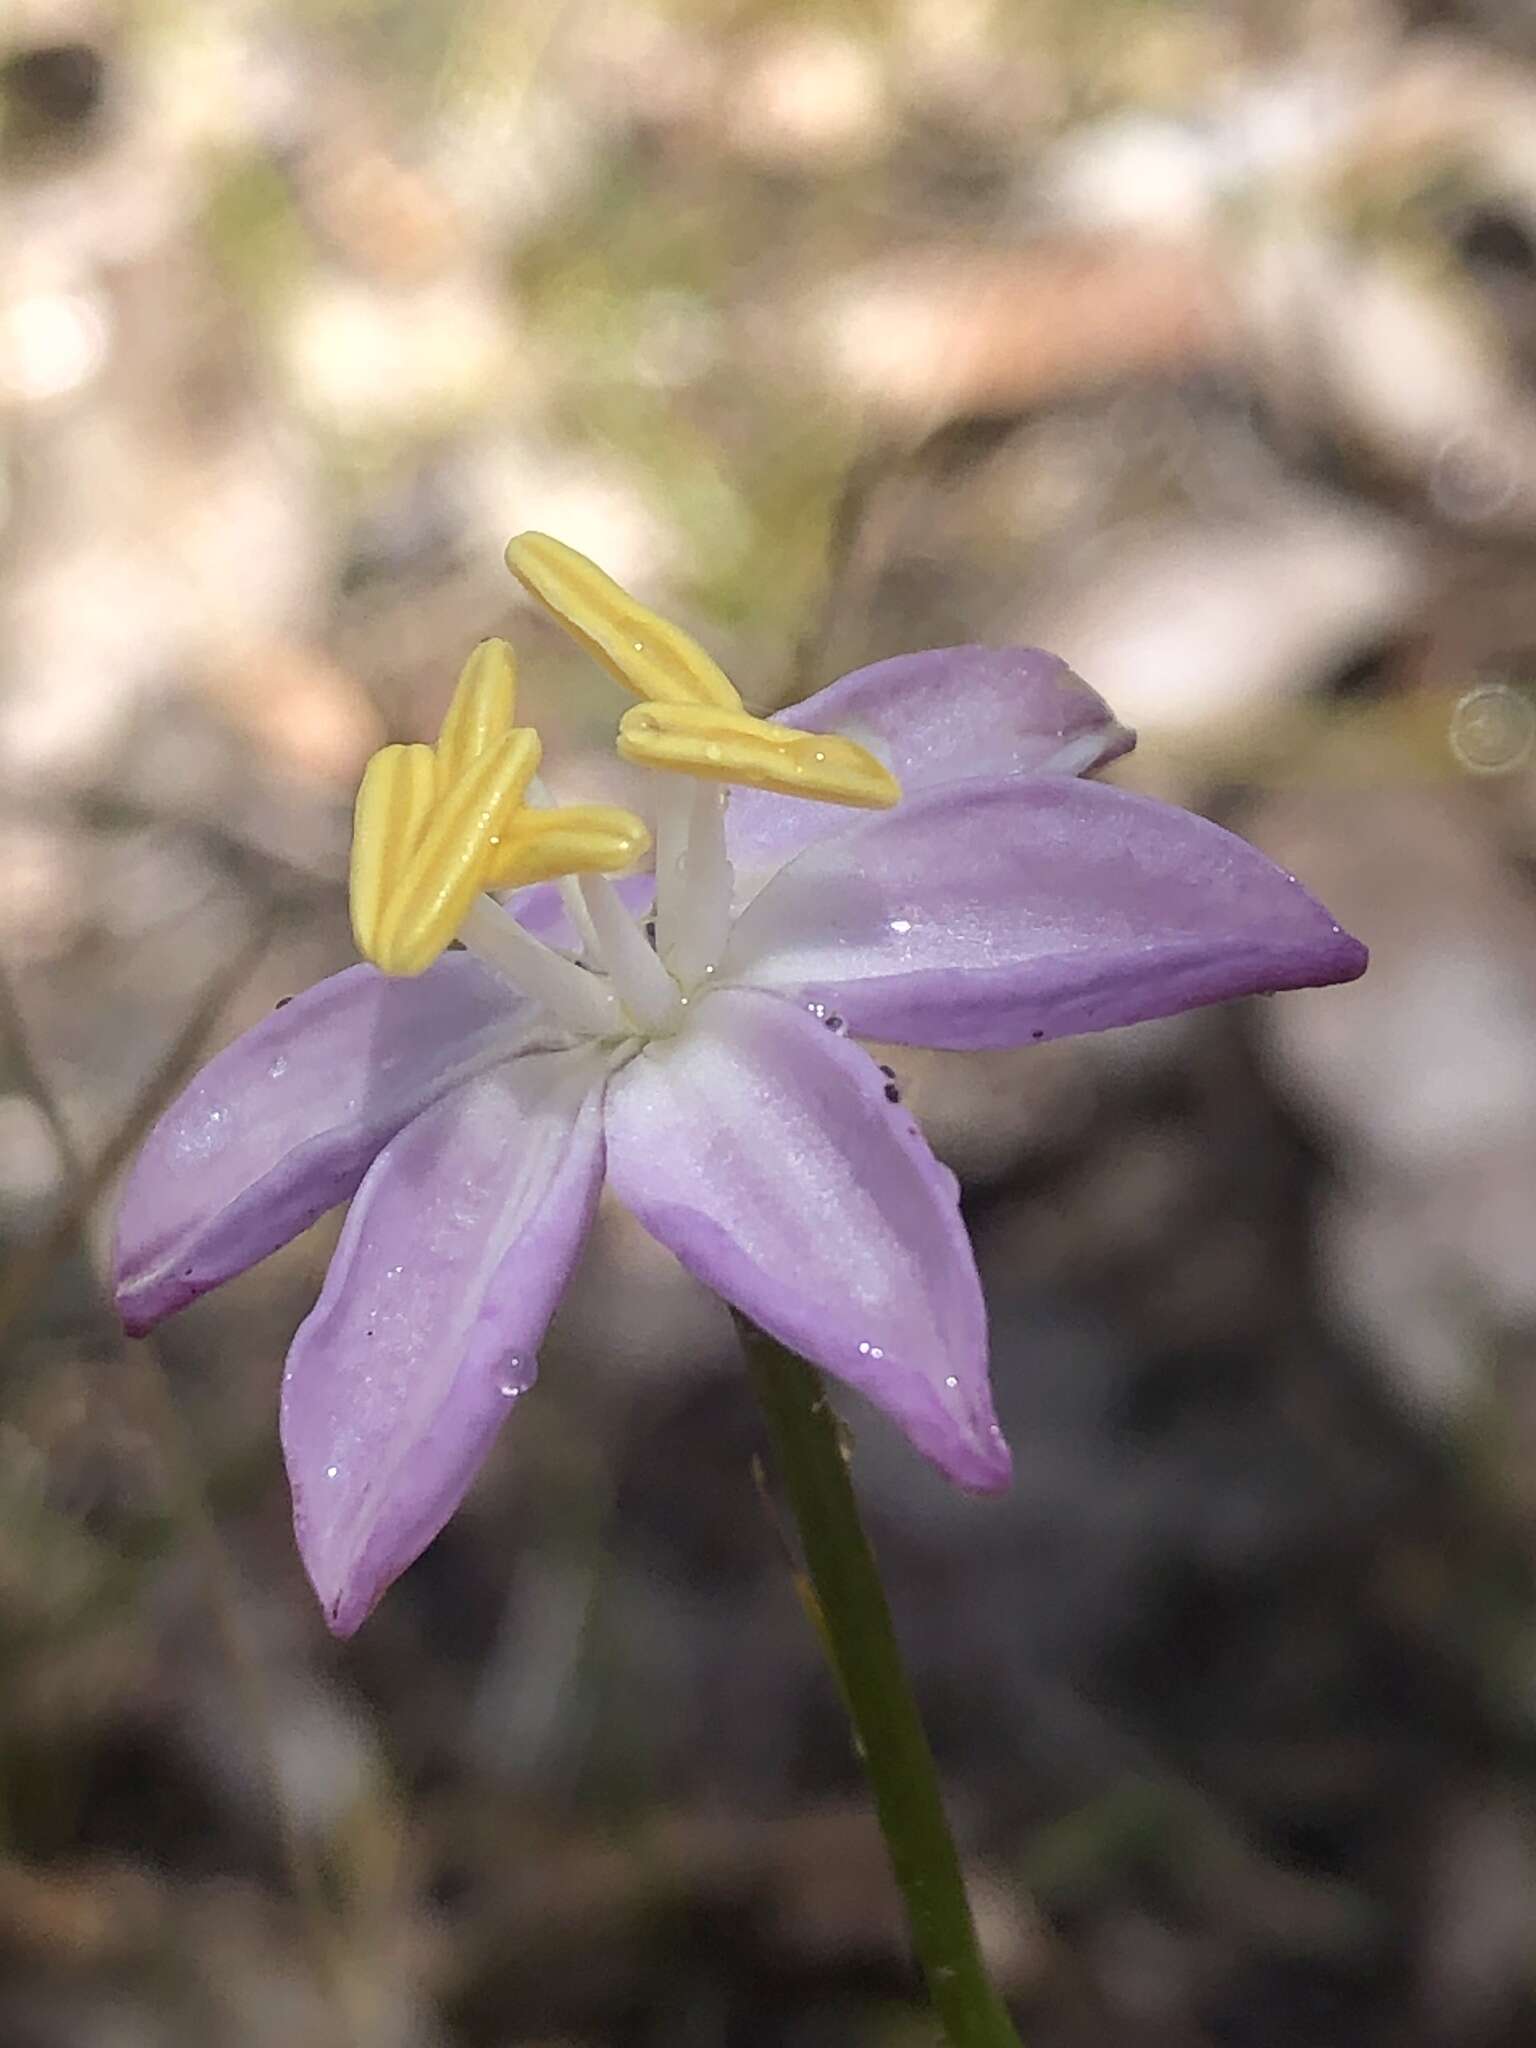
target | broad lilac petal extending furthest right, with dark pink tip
[{"x": 996, "y": 914}]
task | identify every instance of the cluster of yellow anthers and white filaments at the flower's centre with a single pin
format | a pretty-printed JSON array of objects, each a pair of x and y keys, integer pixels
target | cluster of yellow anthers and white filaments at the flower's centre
[{"x": 443, "y": 826}]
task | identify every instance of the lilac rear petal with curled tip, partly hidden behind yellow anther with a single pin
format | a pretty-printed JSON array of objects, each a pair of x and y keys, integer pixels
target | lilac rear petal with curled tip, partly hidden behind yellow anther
[{"x": 935, "y": 718}]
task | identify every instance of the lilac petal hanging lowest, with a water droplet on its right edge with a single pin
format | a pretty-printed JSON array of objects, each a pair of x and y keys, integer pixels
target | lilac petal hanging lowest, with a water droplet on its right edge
[{"x": 447, "y": 1273}]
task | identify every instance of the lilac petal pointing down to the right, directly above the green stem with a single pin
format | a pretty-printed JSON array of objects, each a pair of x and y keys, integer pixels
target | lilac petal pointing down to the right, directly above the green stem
[{"x": 765, "y": 1154}]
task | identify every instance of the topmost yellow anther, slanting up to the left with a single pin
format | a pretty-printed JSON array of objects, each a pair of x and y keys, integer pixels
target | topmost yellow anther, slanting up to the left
[{"x": 652, "y": 658}]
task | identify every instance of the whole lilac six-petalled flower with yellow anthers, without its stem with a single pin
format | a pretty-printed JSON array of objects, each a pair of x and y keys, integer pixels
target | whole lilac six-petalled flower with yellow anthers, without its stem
[{"x": 703, "y": 1062}]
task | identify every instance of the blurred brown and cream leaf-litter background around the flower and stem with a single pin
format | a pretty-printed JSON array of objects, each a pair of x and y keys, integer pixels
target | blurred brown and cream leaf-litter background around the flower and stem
[{"x": 1195, "y": 341}]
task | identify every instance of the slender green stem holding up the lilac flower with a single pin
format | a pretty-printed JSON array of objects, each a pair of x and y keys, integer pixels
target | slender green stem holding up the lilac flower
[{"x": 861, "y": 1646}]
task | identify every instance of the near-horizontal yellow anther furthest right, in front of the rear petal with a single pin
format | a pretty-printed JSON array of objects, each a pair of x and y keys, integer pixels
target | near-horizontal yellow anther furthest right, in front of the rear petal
[{"x": 732, "y": 746}]
